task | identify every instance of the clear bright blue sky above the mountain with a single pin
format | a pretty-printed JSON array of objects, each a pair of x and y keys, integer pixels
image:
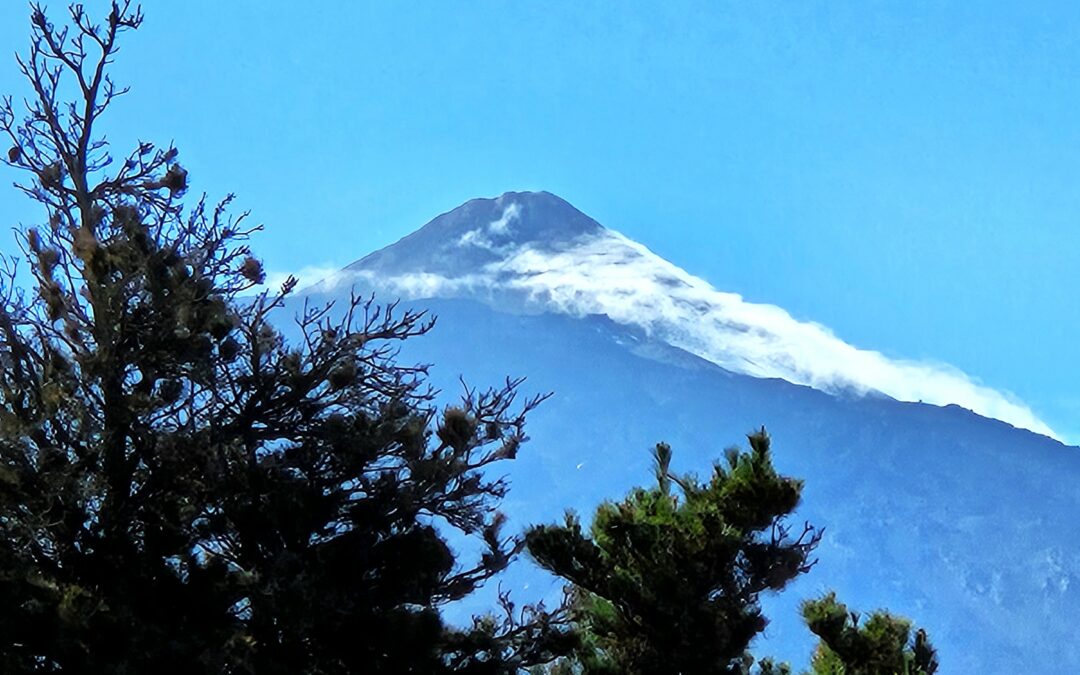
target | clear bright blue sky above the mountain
[{"x": 907, "y": 174}]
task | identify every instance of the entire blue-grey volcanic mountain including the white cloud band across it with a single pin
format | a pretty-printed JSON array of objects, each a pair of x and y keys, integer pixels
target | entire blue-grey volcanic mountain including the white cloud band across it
[{"x": 963, "y": 521}]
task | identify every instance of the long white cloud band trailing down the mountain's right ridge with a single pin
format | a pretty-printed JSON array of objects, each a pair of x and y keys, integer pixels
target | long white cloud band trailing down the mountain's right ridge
[{"x": 611, "y": 275}]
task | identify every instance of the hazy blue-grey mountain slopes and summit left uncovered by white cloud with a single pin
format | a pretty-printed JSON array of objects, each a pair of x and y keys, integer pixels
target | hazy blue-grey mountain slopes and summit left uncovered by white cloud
[{"x": 965, "y": 523}]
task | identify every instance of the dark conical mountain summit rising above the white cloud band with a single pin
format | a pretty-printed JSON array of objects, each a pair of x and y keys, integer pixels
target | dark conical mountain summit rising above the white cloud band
[{"x": 482, "y": 231}]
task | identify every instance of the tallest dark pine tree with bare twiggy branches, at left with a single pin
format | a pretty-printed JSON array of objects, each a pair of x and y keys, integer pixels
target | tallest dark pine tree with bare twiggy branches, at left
[{"x": 182, "y": 489}]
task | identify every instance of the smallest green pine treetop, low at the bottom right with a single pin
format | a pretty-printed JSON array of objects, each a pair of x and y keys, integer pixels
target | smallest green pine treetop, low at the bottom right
[{"x": 883, "y": 645}]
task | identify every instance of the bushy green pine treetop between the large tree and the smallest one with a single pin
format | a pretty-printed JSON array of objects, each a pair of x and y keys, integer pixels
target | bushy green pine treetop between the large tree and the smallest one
[{"x": 668, "y": 580}]
